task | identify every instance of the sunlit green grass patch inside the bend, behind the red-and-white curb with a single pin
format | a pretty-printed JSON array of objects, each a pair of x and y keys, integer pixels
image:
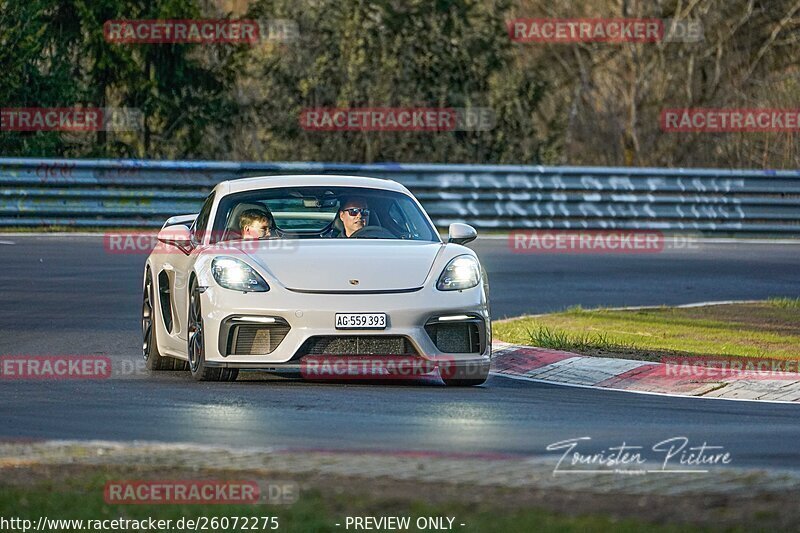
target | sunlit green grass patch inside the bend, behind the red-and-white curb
[{"x": 765, "y": 329}]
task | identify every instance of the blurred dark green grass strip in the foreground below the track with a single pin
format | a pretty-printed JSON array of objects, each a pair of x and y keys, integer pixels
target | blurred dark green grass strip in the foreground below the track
[{"x": 316, "y": 510}]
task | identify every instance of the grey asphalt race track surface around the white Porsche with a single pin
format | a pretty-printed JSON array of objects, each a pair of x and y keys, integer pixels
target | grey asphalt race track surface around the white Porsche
[{"x": 66, "y": 295}]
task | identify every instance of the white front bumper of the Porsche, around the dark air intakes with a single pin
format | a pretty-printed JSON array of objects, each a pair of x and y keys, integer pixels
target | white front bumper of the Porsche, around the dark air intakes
[{"x": 312, "y": 315}]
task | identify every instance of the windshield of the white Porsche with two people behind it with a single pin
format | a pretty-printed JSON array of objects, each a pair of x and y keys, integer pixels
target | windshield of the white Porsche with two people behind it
[{"x": 321, "y": 213}]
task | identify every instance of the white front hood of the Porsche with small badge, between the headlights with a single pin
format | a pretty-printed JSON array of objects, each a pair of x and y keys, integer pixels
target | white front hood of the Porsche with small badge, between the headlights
[{"x": 343, "y": 265}]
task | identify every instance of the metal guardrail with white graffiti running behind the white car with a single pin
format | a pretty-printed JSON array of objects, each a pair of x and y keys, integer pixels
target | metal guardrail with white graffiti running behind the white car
[{"x": 133, "y": 193}]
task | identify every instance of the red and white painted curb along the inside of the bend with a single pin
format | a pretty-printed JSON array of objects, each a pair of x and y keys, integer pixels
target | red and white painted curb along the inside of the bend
[{"x": 565, "y": 368}]
